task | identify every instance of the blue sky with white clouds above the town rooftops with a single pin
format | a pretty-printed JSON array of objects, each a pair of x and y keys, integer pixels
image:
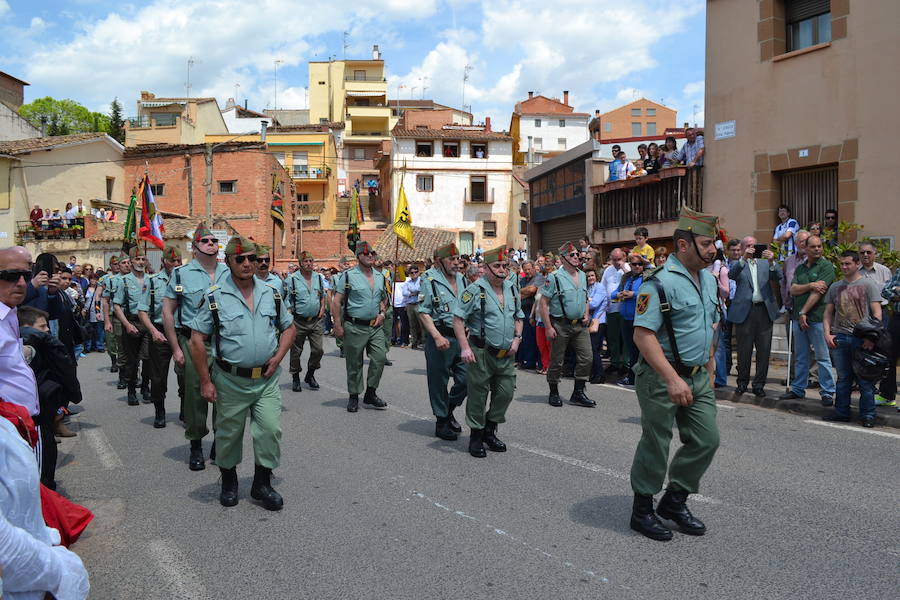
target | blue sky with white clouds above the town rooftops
[{"x": 604, "y": 52}]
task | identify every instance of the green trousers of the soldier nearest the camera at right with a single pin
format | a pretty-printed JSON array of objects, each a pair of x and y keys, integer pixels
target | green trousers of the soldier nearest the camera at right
[{"x": 696, "y": 427}]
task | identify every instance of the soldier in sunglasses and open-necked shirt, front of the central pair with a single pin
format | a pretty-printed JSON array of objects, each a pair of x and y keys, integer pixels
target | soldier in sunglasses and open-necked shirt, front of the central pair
[{"x": 491, "y": 309}]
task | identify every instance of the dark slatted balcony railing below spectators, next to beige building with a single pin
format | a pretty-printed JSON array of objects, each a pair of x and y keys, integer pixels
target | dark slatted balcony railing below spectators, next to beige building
[{"x": 649, "y": 199}]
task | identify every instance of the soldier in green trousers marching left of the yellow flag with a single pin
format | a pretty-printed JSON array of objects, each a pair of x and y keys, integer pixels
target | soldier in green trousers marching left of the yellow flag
[{"x": 358, "y": 310}]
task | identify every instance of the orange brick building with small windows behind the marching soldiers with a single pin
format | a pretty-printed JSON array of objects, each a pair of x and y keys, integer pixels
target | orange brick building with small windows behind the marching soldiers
[{"x": 242, "y": 181}]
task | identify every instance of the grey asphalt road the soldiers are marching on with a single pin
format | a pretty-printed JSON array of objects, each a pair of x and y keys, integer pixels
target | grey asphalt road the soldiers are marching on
[{"x": 376, "y": 507}]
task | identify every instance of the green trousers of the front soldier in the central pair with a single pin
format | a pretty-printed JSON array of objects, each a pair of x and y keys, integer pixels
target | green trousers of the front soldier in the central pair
[{"x": 489, "y": 374}]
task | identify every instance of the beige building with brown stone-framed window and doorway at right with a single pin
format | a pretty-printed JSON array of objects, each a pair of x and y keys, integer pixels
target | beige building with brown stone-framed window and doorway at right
[{"x": 801, "y": 110}]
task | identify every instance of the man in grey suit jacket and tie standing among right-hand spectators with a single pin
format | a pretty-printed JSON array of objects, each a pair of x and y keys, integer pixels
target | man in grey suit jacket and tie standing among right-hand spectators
[{"x": 753, "y": 310}]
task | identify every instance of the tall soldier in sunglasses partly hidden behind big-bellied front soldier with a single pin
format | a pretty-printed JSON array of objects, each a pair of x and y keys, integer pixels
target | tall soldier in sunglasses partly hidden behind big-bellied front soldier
[{"x": 185, "y": 290}]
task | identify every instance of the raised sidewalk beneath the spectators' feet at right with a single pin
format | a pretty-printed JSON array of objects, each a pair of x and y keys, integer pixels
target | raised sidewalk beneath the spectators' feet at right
[{"x": 886, "y": 416}]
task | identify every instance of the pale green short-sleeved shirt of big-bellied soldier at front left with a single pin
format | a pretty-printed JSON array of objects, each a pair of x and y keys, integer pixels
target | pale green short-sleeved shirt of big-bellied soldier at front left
[{"x": 246, "y": 338}]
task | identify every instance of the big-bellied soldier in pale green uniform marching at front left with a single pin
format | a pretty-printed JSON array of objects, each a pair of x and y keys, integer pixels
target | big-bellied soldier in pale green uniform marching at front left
[{"x": 252, "y": 330}]
